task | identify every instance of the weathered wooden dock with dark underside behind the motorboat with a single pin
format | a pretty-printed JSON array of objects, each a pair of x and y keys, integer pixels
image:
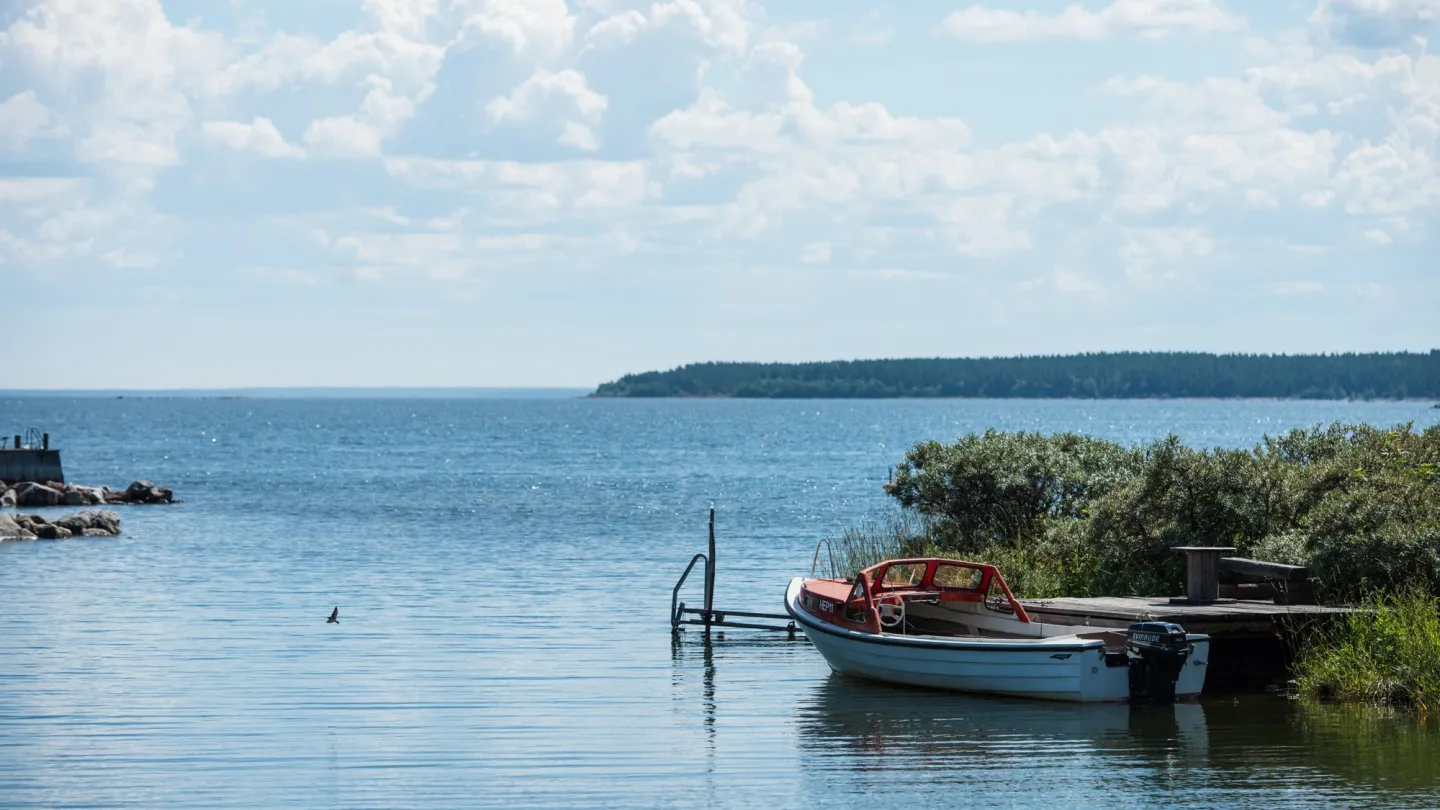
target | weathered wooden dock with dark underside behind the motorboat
[{"x": 1252, "y": 644}]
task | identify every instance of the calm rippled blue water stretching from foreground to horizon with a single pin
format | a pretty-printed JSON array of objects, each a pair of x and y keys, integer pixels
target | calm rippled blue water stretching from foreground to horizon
[{"x": 503, "y": 571}]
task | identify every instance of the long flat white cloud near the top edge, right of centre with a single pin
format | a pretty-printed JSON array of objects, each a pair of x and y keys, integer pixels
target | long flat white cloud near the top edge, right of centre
[{"x": 1122, "y": 18}]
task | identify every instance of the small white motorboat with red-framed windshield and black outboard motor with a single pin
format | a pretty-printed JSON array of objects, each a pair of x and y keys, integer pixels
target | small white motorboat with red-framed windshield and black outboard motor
[{"x": 955, "y": 625}]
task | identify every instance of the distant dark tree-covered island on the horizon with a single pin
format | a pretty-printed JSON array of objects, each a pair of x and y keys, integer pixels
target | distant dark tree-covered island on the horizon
[{"x": 1112, "y": 375}]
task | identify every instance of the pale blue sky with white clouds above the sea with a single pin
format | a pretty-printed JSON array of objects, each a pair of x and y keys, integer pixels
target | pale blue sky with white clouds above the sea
[{"x": 210, "y": 194}]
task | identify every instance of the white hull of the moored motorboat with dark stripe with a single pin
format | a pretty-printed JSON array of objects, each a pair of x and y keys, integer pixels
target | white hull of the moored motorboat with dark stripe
[{"x": 1059, "y": 668}]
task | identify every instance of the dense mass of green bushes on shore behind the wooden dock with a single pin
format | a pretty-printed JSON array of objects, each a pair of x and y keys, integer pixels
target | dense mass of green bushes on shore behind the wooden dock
[{"x": 1072, "y": 515}]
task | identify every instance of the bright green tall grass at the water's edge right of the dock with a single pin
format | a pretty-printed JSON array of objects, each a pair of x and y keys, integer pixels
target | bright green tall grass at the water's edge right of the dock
[{"x": 1387, "y": 655}]
